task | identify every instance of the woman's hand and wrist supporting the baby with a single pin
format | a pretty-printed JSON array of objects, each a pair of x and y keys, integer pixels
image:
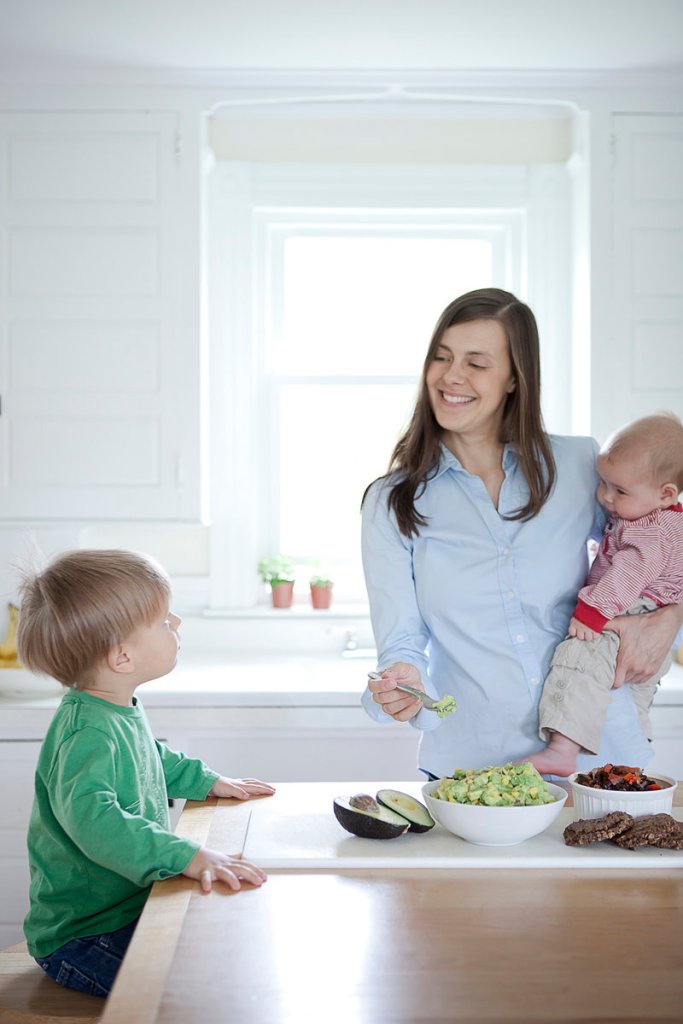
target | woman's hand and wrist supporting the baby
[{"x": 645, "y": 643}]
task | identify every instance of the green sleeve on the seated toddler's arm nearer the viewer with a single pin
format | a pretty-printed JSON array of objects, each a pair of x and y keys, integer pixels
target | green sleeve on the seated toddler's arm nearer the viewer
[{"x": 84, "y": 801}]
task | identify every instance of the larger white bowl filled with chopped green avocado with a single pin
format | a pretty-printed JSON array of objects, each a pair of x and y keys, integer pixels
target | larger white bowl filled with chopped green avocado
[{"x": 494, "y": 826}]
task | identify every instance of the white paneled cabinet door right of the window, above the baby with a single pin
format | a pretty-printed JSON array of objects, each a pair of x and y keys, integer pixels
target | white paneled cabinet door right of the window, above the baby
[{"x": 647, "y": 366}]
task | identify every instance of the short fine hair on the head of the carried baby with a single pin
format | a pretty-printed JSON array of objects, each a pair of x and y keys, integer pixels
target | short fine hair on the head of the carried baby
[{"x": 658, "y": 441}]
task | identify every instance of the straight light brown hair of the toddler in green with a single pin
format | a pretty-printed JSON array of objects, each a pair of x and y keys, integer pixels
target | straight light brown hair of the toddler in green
[{"x": 81, "y": 606}]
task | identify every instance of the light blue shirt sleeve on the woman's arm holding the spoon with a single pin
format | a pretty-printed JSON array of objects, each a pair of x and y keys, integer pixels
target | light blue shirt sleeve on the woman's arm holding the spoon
[{"x": 401, "y": 633}]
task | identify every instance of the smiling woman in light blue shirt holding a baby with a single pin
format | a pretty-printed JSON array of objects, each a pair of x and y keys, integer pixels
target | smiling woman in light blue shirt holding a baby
[{"x": 475, "y": 549}]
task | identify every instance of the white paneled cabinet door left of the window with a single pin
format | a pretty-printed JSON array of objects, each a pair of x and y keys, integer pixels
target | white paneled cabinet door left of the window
[{"x": 99, "y": 318}]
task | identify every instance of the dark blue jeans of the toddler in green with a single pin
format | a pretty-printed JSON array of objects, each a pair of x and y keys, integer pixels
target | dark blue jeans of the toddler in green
[{"x": 90, "y": 965}]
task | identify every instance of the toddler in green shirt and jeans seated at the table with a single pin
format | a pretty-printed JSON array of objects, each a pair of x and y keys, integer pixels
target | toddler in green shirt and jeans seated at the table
[{"x": 100, "y": 833}]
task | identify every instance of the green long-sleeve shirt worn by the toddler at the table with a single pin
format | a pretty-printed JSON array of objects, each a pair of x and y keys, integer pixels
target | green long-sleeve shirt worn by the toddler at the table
[{"x": 100, "y": 832}]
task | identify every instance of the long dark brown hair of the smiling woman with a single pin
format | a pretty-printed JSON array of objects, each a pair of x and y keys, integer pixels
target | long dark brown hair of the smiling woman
[{"x": 417, "y": 454}]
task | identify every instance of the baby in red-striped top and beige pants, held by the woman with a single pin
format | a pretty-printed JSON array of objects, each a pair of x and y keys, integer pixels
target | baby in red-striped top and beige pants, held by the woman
[{"x": 638, "y": 568}]
